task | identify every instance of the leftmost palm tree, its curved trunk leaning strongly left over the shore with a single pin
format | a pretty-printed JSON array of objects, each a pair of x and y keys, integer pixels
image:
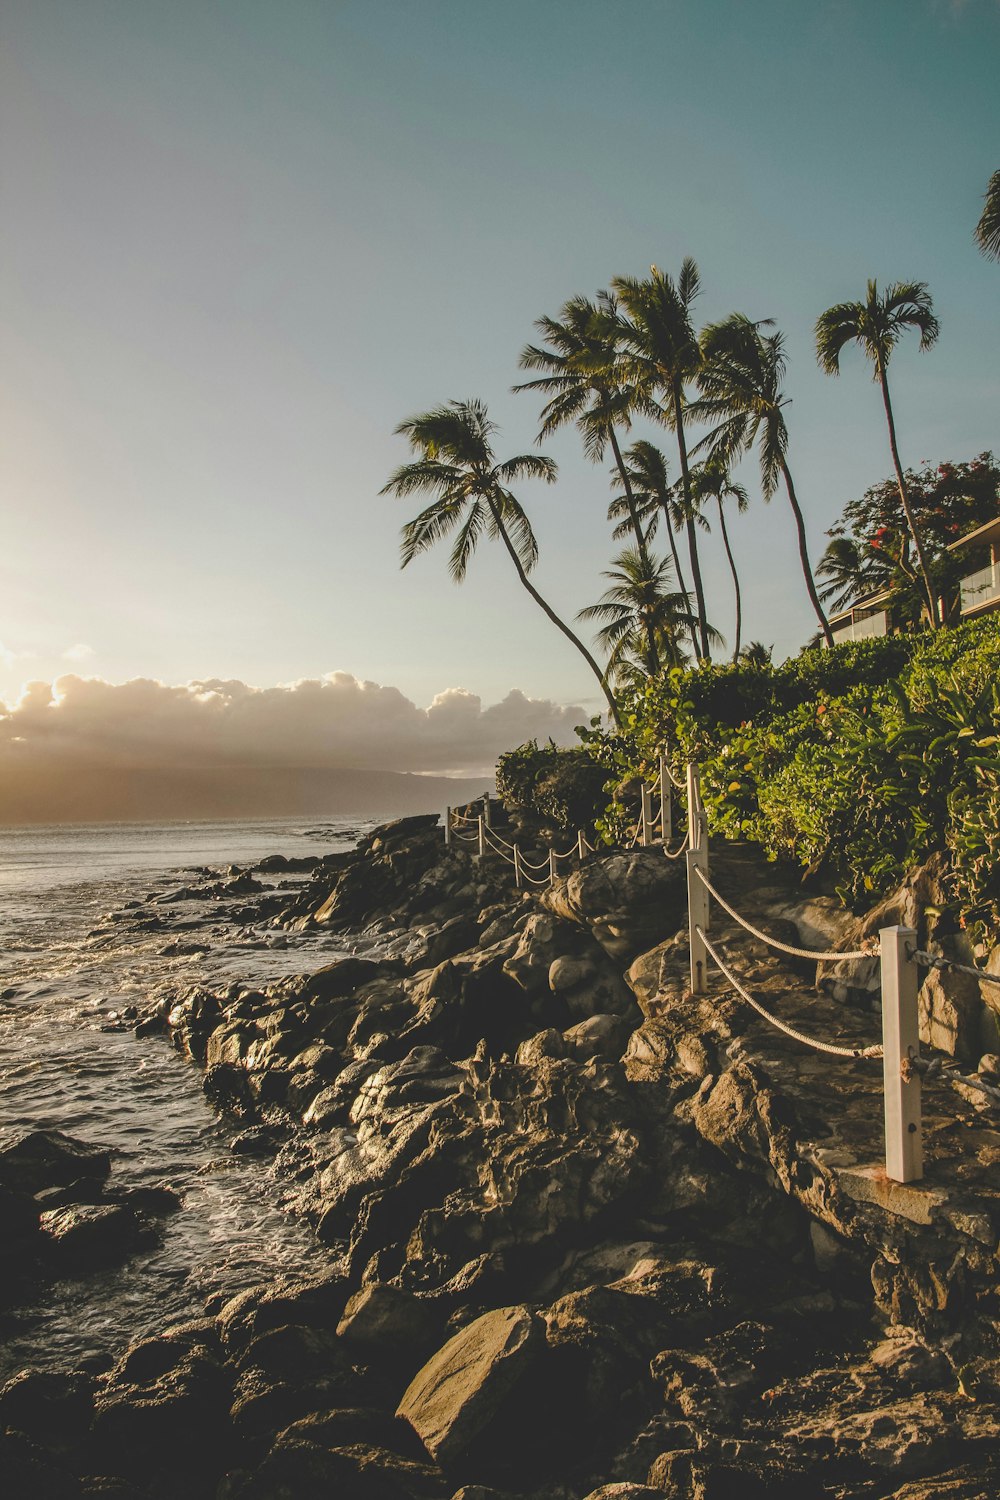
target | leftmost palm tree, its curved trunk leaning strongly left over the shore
[{"x": 460, "y": 469}]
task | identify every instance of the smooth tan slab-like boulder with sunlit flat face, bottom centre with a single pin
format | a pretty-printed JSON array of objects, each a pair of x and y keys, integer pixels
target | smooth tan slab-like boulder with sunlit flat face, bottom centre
[{"x": 458, "y": 1396}]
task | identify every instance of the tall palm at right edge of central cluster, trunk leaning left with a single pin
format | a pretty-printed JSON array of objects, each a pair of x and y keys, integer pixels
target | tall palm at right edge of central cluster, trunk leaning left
[{"x": 741, "y": 389}]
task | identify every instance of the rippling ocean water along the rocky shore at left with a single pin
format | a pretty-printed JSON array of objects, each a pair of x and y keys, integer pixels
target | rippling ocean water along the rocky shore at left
[{"x": 73, "y": 955}]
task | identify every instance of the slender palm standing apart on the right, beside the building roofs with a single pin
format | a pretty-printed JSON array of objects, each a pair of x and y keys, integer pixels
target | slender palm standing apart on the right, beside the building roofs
[{"x": 878, "y": 325}]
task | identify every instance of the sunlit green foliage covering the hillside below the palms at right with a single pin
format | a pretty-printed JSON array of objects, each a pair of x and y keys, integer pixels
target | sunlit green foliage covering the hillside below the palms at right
[{"x": 857, "y": 763}]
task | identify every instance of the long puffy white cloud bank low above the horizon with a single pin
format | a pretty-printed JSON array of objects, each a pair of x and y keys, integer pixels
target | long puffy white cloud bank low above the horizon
[{"x": 317, "y": 724}]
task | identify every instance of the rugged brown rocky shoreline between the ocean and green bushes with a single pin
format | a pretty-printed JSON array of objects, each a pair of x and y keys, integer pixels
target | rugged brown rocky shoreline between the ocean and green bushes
[{"x": 587, "y": 1235}]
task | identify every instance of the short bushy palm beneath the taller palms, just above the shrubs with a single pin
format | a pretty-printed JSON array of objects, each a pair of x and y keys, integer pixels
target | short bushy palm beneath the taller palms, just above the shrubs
[{"x": 639, "y": 607}]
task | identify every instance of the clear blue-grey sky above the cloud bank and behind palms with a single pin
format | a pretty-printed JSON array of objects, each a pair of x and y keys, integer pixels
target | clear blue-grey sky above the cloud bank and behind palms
[{"x": 244, "y": 241}]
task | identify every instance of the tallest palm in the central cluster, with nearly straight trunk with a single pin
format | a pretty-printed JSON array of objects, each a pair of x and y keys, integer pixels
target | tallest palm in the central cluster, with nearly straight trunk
[{"x": 662, "y": 355}]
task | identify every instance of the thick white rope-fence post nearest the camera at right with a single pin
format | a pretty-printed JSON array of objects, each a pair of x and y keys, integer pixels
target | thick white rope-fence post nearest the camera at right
[{"x": 900, "y": 1046}]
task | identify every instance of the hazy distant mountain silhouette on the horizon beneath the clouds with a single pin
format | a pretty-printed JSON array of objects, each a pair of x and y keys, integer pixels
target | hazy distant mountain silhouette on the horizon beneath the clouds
[{"x": 32, "y": 794}]
